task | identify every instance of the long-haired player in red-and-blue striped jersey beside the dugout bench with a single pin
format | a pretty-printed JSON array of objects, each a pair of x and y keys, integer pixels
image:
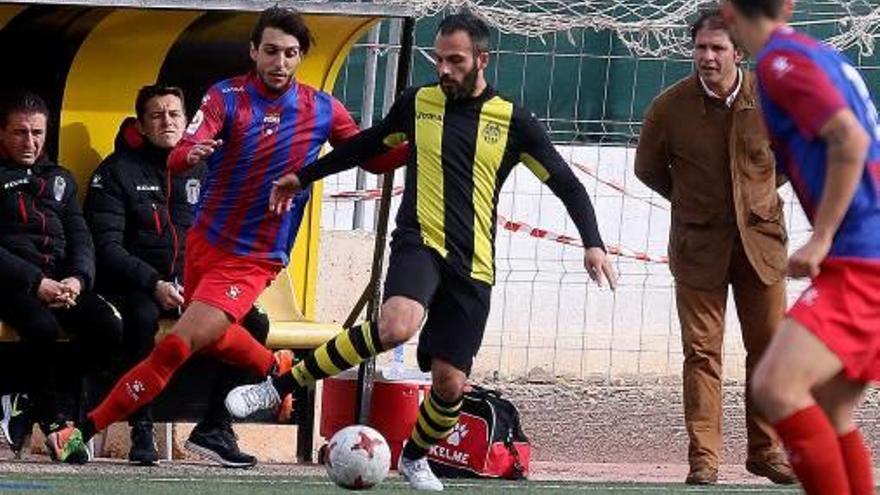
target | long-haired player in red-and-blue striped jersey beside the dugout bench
[{"x": 251, "y": 130}]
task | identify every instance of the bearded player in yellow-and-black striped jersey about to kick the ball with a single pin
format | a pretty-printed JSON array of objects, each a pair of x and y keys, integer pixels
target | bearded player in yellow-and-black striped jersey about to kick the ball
[{"x": 464, "y": 141}]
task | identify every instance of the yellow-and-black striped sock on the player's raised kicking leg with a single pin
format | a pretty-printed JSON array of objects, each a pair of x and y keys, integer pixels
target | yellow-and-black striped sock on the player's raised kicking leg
[{"x": 346, "y": 350}]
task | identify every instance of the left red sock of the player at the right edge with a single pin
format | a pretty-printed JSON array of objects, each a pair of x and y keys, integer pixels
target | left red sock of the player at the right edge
[{"x": 814, "y": 452}]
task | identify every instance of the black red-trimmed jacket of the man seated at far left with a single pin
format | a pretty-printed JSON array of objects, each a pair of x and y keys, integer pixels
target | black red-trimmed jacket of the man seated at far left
[{"x": 42, "y": 231}]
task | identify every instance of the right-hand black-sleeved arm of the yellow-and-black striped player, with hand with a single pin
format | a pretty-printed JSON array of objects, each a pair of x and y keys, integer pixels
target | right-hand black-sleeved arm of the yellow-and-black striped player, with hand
[{"x": 541, "y": 157}]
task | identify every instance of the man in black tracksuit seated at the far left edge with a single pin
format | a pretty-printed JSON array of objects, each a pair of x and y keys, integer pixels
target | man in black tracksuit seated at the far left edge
[{"x": 48, "y": 263}]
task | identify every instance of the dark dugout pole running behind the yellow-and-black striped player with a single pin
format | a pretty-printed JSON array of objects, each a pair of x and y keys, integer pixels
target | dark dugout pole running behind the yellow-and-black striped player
[{"x": 366, "y": 370}]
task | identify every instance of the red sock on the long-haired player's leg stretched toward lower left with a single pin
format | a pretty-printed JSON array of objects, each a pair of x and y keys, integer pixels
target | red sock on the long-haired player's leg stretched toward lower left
[{"x": 142, "y": 383}]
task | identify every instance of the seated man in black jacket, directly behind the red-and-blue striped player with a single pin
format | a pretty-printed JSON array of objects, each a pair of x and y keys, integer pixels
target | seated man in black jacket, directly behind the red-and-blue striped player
[{"x": 140, "y": 230}]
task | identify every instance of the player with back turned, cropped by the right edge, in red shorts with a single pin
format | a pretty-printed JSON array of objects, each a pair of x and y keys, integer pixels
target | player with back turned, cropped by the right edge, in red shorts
[{"x": 826, "y": 136}]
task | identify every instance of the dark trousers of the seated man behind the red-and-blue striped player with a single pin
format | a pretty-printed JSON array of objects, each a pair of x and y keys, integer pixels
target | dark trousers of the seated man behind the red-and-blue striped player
[{"x": 141, "y": 314}]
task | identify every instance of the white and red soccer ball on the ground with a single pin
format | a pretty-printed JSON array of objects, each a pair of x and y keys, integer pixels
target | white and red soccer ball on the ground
[{"x": 358, "y": 458}]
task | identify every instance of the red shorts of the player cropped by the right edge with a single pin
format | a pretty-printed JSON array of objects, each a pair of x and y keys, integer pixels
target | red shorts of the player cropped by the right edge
[{"x": 842, "y": 308}]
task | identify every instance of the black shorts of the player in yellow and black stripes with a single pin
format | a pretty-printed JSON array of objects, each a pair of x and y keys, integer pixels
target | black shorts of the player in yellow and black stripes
[{"x": 457, "y": 306}]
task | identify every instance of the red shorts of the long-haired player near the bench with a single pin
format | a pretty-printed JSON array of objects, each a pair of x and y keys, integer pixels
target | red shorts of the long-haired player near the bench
[{"x": 224, "y": 280}]
